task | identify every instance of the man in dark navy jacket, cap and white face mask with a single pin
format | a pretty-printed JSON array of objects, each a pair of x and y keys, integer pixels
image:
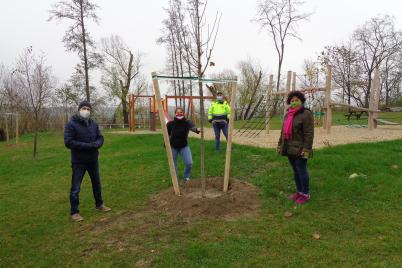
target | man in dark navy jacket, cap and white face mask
[{"x": 83, "y": 137}]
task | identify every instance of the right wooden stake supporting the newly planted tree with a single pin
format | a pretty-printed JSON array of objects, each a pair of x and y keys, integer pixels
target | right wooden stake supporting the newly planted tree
[{"x": 230, "y": 134}]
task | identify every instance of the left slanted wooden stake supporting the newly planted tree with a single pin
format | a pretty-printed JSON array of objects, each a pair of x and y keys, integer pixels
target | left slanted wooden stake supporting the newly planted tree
[{"x": 165, "y": 135}]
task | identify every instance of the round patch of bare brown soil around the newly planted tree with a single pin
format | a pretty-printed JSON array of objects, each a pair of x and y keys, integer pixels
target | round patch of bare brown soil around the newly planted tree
[{"x": 241, "y": 200}]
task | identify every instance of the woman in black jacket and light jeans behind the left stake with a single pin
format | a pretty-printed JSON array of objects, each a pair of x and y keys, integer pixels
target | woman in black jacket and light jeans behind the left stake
[{"x": 178, "y": 130}]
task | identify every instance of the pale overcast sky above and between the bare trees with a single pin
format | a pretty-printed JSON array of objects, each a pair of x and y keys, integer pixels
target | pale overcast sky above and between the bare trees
[{"x": 24, "y": 23}]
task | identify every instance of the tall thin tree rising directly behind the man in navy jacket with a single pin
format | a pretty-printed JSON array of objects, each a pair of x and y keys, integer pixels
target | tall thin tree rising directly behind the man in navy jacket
[{"x": 77, "y": 37}]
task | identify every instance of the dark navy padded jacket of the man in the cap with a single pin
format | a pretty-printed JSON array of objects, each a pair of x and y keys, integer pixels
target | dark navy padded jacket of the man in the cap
[{"x": 84, "y": 139}]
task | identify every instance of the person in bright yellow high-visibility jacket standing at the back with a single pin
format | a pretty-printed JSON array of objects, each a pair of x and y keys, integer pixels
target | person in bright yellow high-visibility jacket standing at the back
[{"x": 218, "y": 115}]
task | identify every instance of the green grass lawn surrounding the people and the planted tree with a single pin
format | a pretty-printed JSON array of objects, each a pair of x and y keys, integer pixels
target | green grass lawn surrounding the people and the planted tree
[{"x": 359, "y": 220}]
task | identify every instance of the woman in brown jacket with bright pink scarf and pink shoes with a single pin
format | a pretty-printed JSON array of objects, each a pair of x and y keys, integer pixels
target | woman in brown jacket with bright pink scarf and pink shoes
[{"x": 296, "y": 142}]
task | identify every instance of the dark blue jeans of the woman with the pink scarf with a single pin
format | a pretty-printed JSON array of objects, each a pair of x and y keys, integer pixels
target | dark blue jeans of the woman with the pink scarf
[{"x": 301, "y": 177}]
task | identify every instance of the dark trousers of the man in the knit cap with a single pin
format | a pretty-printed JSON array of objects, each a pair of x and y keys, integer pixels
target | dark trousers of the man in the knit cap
[{"x": 76, "y": 180}]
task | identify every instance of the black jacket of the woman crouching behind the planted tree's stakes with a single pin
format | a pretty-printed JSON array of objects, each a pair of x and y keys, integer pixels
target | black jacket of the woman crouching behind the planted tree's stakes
[{"x": 178, "y": 132}]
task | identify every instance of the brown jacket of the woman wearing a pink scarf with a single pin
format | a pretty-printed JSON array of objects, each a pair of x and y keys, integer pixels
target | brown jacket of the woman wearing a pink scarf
[{"x": 302, "y": 135}]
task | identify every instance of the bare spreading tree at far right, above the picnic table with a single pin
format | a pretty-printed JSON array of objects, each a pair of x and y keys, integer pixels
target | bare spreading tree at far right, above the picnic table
[{"x": 376, "y": 41}]
